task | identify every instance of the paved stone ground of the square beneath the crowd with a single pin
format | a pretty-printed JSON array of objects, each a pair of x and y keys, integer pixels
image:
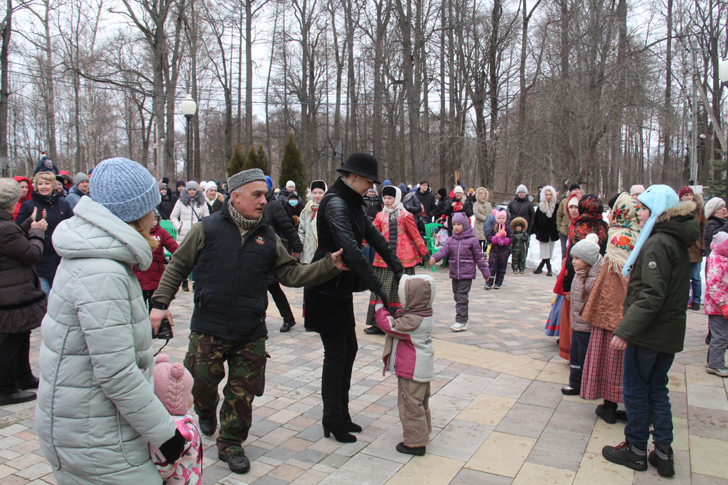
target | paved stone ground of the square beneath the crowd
[{"x": 498, "y": 415}]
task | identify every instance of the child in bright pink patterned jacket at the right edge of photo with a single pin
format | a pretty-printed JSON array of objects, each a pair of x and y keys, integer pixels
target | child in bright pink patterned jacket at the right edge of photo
[{"x": 716, "y": 304}]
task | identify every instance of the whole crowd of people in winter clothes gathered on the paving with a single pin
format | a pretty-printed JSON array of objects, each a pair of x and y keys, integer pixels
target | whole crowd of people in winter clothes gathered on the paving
[{"x": 93, "y": 260}]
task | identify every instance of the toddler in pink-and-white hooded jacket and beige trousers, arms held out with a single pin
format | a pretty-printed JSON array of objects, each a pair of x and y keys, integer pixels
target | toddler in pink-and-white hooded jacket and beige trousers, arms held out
[{"x": 410, "y": 355}]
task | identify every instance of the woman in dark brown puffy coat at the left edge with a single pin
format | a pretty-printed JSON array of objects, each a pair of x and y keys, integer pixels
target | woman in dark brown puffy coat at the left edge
[{"x": 22, "y": 301}]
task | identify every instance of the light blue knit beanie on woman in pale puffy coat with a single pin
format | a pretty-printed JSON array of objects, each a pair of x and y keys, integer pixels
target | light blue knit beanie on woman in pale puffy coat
[{"x": 125, "y": 188}]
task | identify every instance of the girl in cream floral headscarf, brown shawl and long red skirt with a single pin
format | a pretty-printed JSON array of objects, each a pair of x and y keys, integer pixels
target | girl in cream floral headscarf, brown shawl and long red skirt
[{"x": 603, "y": 367}]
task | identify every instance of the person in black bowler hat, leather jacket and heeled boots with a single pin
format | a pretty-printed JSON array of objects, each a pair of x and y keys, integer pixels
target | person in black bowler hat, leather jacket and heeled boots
[{"x": 330, "y": 306}]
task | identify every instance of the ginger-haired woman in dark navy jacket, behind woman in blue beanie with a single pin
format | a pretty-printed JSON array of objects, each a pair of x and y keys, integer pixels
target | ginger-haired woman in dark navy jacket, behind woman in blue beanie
[{"x": 53, "y": 208}]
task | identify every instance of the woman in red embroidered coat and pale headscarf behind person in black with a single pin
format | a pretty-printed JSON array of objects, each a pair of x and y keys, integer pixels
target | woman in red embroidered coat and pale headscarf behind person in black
[{"x": 400, "y": 229}]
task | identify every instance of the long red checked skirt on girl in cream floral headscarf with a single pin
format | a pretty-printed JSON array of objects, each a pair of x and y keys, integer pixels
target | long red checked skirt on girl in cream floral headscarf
[{"x": 603, "y": 368}]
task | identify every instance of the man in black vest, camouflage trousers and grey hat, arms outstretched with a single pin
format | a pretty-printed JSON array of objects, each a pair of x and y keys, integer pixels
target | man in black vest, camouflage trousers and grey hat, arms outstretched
[{"x": 233, "y": 252}]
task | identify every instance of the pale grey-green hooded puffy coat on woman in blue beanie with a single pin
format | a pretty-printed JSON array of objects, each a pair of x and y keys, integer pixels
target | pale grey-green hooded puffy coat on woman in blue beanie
[{"x": 96, "y": 409}]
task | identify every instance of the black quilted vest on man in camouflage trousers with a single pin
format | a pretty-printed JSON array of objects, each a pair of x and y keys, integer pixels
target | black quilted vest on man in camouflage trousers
[{"x": 231, "y": 279}]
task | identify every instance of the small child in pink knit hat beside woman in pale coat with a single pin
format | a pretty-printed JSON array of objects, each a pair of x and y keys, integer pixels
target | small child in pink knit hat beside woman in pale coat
[{"x": 173, "y": 386}]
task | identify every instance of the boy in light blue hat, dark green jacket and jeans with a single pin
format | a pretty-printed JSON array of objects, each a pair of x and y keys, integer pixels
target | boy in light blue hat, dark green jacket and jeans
[{"x": 652, "y": 329}]
